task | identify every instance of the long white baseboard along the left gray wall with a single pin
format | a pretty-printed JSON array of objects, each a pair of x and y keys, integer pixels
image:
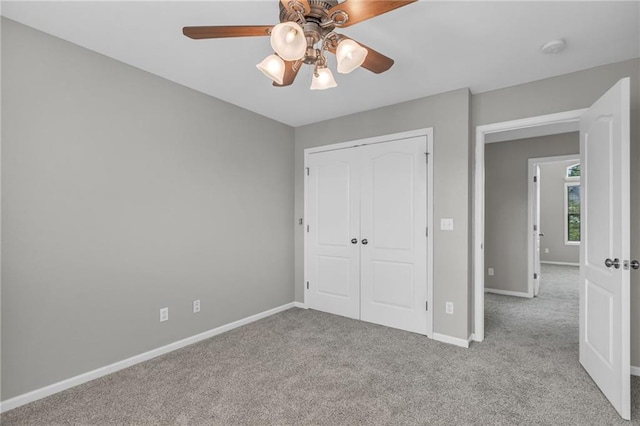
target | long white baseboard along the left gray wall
[{"x": 26, "y": 398}]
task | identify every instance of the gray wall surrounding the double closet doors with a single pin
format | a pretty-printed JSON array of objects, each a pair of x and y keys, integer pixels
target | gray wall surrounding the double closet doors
[{"x": 448, "y": 114}]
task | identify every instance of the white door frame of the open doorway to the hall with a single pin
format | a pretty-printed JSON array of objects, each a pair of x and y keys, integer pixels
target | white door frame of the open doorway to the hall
[{"x": 479, "y": 193}]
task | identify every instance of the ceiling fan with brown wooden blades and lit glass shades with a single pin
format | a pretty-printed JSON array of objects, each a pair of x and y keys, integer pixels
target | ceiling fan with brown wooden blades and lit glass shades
[{"x": 305, "y": 32}]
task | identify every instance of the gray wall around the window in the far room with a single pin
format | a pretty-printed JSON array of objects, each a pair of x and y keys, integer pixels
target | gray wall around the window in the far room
[{"x": 552, "y": 217}]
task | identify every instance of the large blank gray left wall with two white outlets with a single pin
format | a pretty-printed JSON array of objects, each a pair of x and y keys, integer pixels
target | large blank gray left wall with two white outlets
[{"x": 123, "y": 193}]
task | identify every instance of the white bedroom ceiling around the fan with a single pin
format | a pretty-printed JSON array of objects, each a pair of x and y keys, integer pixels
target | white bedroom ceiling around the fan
[{"x": 438, "y": 46}]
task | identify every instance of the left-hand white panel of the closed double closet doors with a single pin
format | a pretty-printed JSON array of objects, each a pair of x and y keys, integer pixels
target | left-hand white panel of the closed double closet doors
[{"x": 333, "y": 215}]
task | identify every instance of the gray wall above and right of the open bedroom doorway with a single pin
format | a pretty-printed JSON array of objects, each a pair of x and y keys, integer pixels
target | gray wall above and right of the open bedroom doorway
[{"x": 574, "y": 91}]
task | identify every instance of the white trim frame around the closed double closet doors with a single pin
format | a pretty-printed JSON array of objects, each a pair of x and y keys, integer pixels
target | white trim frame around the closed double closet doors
[{"x": 428, "y": 132}]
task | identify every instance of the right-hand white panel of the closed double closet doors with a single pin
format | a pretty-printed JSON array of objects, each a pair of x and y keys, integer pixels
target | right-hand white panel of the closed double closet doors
[{"x": 393, "y": 221}]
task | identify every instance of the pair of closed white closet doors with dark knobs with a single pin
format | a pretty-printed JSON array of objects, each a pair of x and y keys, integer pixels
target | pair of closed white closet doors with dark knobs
[{"x": 367, "y": 240}]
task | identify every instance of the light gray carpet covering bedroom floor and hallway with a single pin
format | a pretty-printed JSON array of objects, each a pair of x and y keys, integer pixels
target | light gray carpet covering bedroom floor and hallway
[{"x": 307, "y": 367}]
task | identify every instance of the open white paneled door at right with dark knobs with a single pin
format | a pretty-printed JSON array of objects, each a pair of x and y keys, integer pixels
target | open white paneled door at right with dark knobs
[{"x": 605, "y": 248}]
